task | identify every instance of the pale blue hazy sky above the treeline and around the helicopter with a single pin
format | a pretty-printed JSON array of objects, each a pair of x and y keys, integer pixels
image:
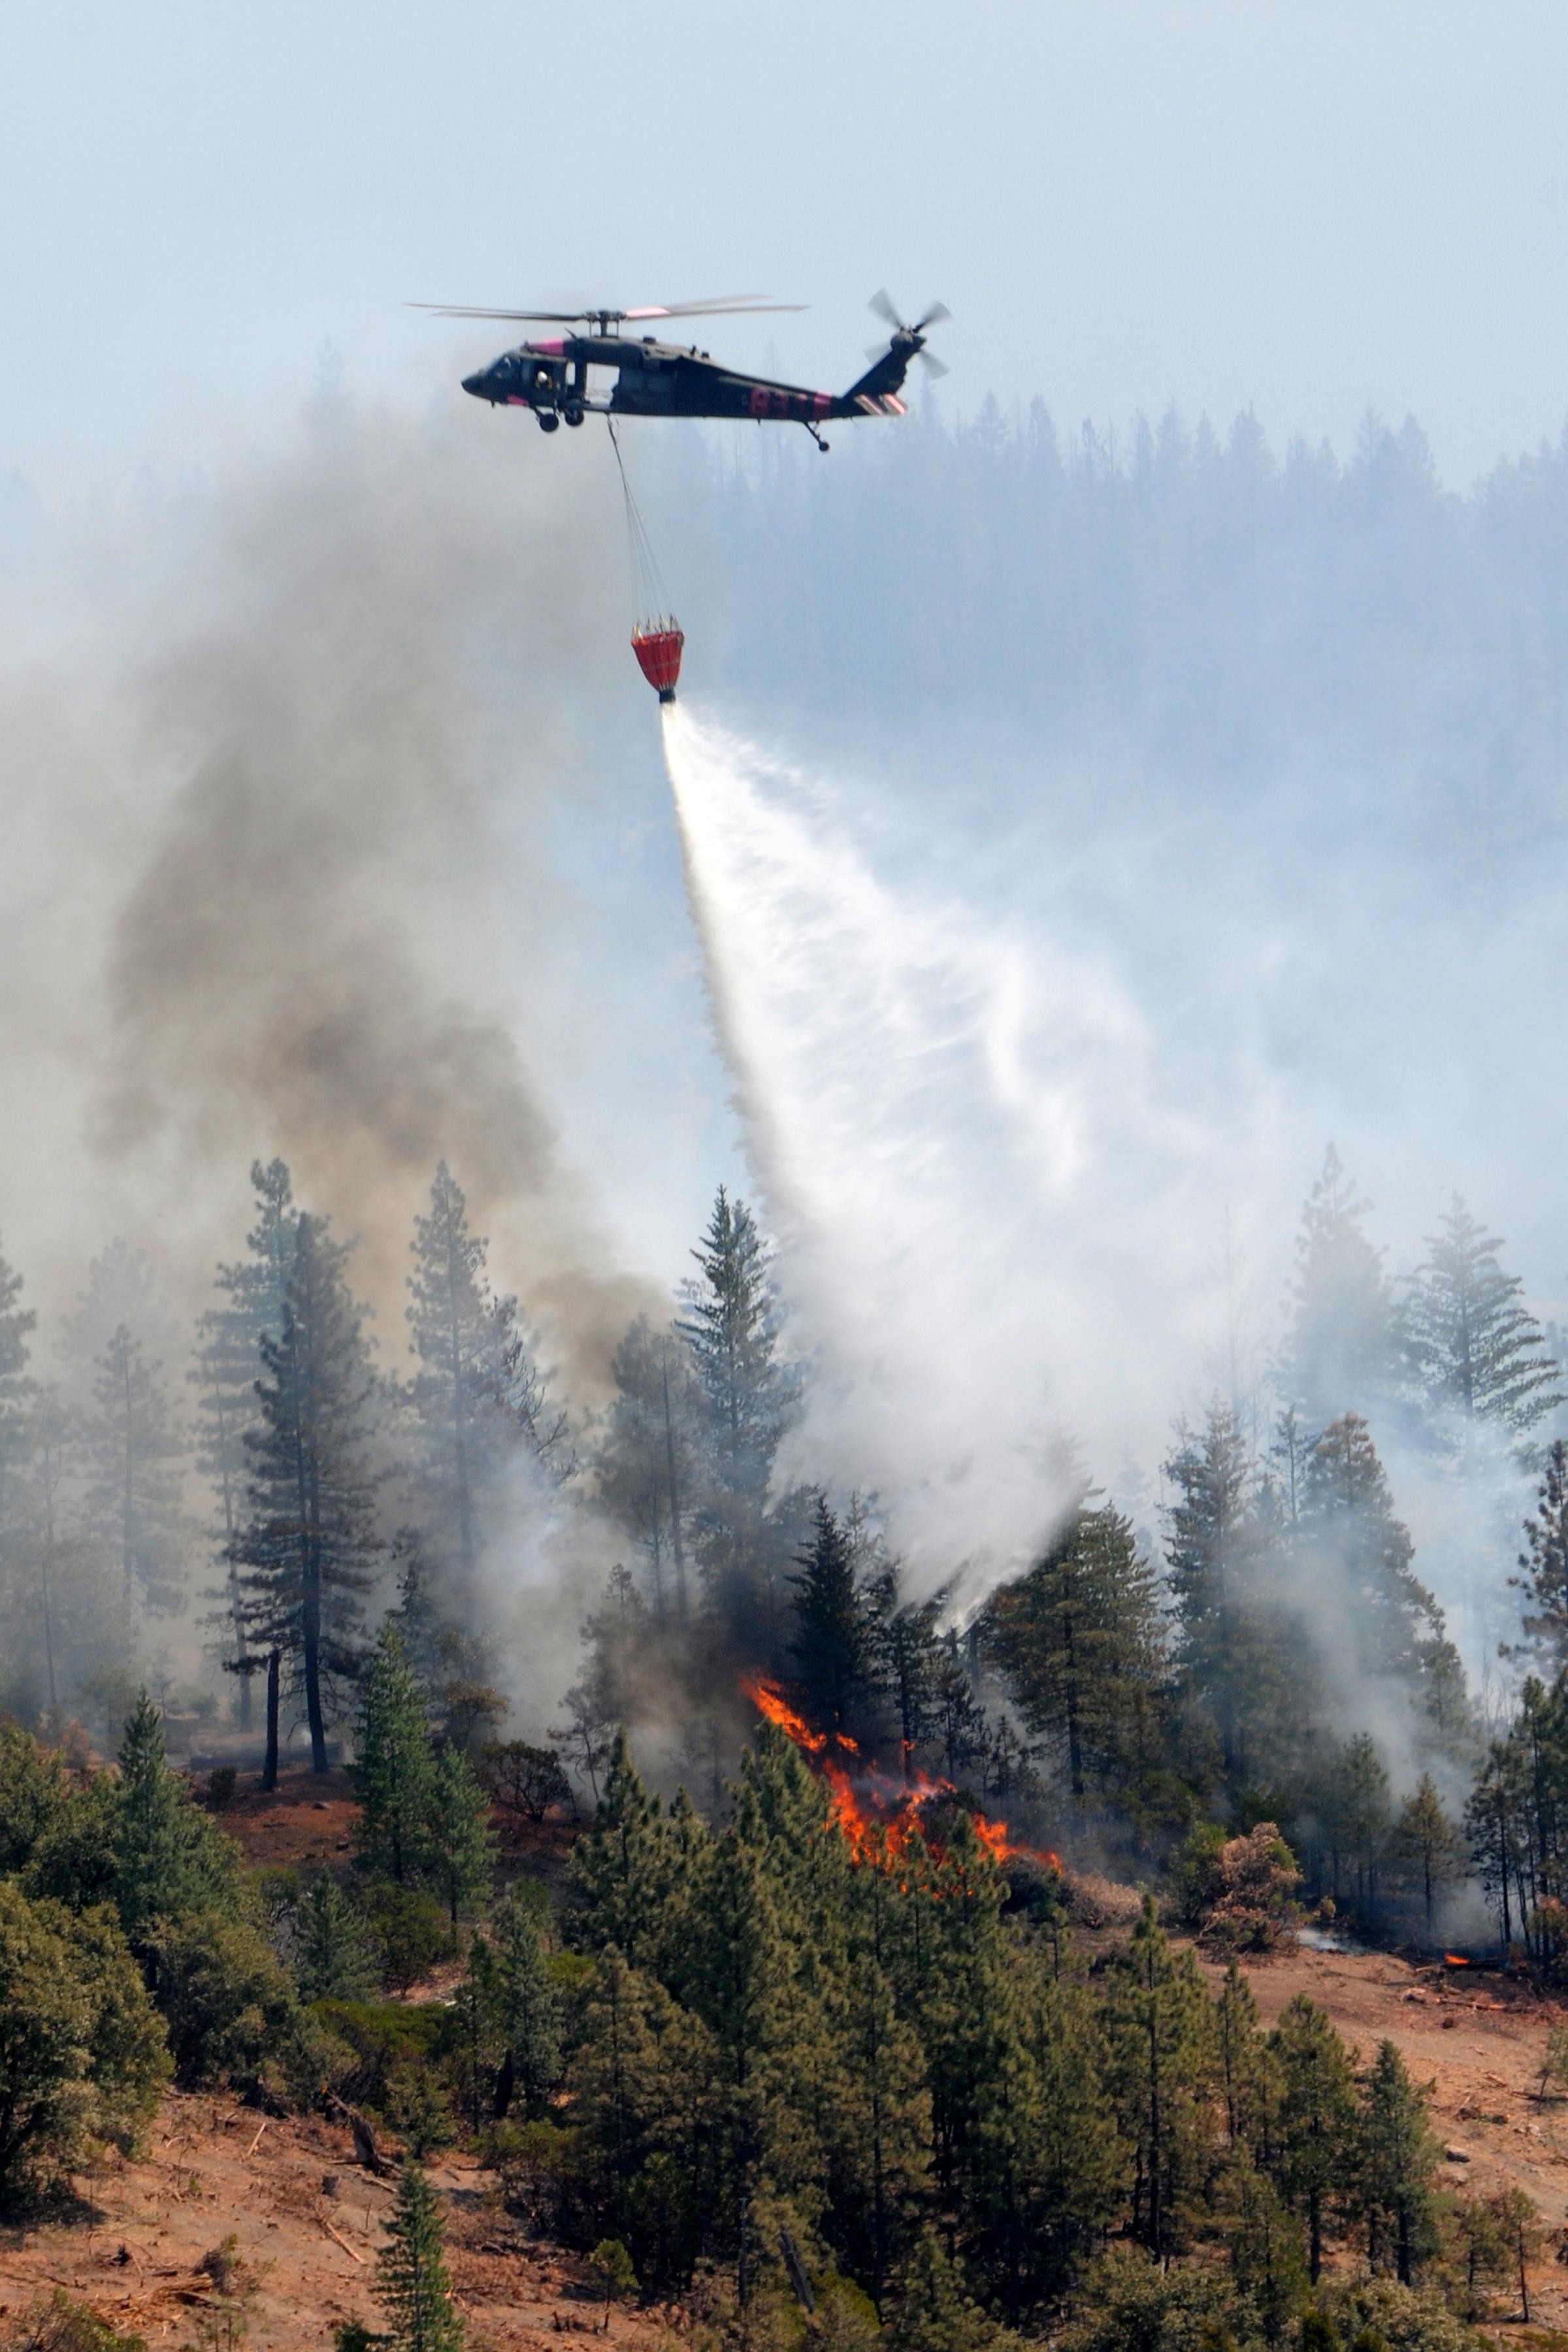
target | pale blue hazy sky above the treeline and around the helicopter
[{"x": 1301, "y": 206}]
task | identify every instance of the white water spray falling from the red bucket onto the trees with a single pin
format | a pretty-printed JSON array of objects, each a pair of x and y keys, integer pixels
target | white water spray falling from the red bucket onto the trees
[{"x": 911, "y": 1142}]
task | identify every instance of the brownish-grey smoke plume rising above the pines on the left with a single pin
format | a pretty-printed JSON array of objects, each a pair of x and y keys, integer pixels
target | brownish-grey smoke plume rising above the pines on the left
[{"x": 293, "y": 869}]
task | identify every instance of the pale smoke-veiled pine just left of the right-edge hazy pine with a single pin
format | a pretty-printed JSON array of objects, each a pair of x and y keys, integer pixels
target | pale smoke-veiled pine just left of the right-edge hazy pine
[{"x": 1343, "y": 1330}]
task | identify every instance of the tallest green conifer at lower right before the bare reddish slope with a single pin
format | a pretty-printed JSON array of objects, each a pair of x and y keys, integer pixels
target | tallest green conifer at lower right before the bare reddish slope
[{"x": 1160, "y": 2036}]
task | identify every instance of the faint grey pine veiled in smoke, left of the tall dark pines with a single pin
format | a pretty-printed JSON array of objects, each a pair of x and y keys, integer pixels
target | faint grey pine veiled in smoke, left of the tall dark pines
[{"x": 133, "y": 1499}]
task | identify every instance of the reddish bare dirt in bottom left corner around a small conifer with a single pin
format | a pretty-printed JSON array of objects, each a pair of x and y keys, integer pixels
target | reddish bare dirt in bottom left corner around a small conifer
[{"x": 309, "y": 2226}]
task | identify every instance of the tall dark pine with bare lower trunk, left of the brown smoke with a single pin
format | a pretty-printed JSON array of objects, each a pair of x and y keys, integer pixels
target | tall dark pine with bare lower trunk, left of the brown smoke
[{"x": 311, "y": 1539}]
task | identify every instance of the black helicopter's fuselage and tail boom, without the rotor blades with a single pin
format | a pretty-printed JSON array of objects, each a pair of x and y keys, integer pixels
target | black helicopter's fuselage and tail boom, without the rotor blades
[{"x": 674, "y": 380}]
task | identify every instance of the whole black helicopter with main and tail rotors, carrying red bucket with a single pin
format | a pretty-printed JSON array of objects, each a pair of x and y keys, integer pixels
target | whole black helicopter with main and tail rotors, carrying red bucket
[{"x": 676, "y": 380}]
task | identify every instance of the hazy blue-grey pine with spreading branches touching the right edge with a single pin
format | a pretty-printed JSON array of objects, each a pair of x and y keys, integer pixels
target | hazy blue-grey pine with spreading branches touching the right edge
[{"x": 1473, "y": 1347}]
